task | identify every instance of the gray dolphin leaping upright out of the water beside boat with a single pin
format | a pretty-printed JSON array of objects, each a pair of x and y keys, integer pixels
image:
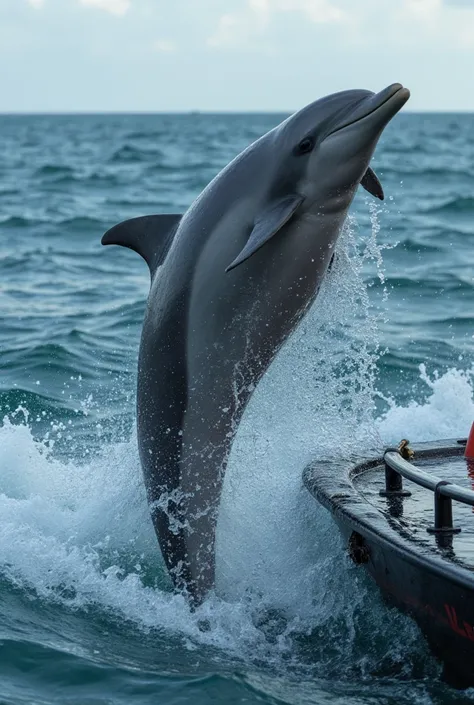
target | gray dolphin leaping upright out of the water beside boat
[{"x": 230, "y": 280}]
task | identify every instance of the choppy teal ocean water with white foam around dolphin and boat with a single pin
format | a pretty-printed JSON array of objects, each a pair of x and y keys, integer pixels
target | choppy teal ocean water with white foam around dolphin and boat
[{"x": 87, "y": 614}]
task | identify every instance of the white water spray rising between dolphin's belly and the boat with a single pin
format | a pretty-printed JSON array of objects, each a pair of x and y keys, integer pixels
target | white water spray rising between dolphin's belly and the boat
[{"x": 317, "y": 398}]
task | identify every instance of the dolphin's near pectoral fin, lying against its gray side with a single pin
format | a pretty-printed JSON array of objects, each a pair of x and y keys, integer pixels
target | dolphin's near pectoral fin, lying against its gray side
[{"x": 267, "y": 225}]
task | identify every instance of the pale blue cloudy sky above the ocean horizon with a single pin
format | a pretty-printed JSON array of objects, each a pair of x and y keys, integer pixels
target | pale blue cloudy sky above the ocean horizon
[{"x": 230, "y": 55}]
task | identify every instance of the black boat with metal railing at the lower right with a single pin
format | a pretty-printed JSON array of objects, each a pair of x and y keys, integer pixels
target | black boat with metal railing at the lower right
[{"x": 395, "y": 512}]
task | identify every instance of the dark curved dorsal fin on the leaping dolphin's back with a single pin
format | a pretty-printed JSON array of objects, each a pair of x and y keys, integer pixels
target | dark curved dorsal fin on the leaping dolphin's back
[{"x": 150, "y": 236}]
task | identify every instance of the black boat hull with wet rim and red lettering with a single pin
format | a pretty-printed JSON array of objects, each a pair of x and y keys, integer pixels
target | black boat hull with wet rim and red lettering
[{"x": 437, "y": 593}]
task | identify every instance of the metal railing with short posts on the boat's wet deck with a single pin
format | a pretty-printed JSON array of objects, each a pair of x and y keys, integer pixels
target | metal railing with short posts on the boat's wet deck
[{"x": 397, "y": 468}]
